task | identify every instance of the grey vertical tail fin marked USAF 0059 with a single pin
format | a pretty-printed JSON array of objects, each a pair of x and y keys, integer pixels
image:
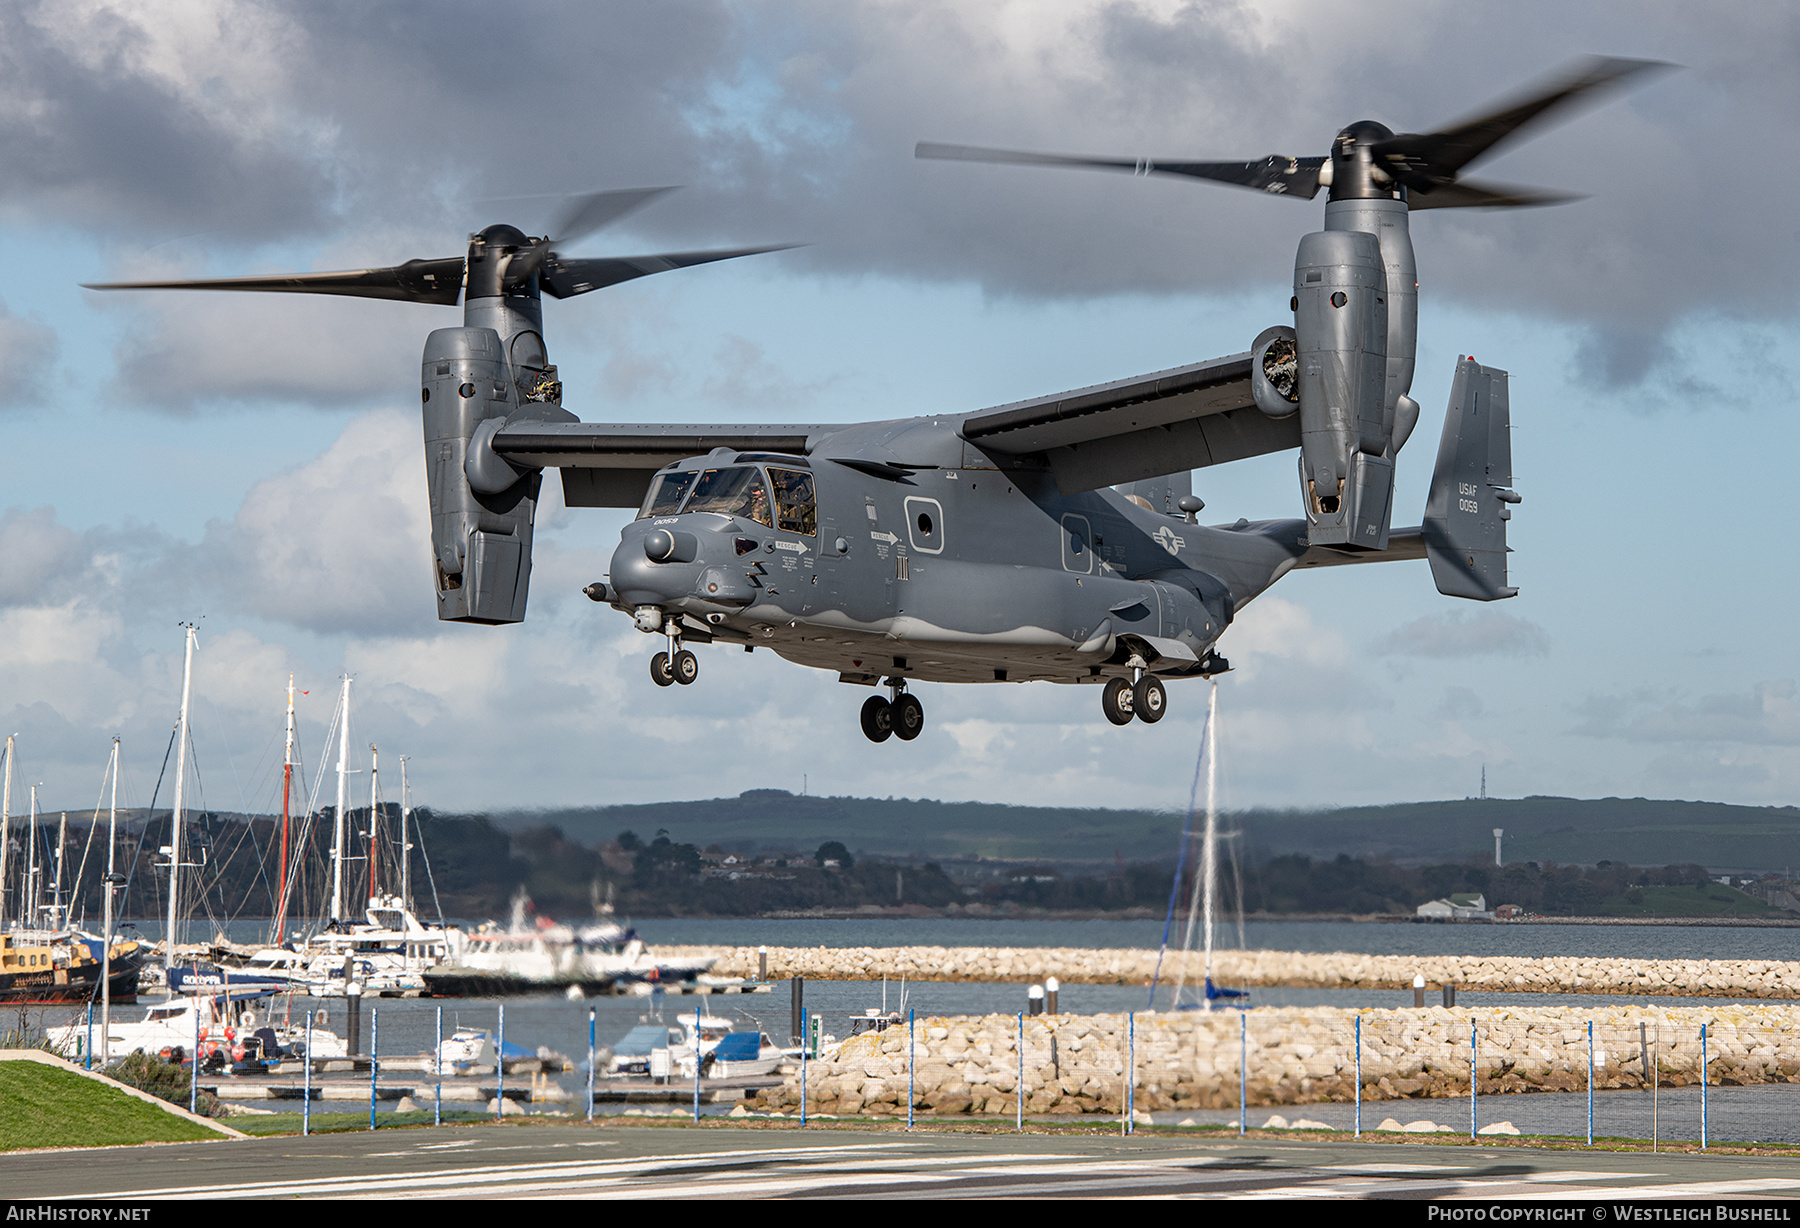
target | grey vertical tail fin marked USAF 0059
[{"x": 1471, "y": 489}]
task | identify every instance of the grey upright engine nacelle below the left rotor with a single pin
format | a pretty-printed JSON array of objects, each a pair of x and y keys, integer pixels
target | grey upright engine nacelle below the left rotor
[{"x": 481, "y": 539}]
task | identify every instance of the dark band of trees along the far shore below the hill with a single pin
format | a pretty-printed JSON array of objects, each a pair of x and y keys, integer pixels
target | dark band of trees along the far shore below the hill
[{"x": 467, "y": 867}]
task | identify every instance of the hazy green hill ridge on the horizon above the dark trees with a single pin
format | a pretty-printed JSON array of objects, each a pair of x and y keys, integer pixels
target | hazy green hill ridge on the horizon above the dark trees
[{"x": 1538, "y": 829}]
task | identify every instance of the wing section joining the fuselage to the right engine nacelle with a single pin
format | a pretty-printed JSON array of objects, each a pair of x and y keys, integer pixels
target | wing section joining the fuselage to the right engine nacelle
[{"x": 1142, "y": 428}]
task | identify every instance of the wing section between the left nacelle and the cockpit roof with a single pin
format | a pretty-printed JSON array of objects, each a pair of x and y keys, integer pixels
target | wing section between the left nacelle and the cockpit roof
[{"x": 609, "y": 465}]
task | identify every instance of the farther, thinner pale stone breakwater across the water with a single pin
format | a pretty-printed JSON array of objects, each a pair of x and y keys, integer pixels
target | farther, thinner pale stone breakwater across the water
[{"x": 1074, "y": 966}]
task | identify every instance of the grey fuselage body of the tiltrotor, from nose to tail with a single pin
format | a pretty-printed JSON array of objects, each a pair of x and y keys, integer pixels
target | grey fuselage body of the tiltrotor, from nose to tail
[{"x": 937, "y": 564}]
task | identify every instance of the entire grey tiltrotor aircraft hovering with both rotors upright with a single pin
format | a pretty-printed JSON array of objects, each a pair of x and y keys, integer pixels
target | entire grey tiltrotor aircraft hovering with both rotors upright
[{"x": 1052, "y": 539}]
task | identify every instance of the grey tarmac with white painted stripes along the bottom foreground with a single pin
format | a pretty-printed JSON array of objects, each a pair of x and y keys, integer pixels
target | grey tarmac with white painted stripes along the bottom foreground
[{"x": 611, "y": 1160}]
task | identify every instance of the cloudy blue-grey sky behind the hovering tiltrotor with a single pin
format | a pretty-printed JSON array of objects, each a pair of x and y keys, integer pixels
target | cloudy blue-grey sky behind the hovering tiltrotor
[{"x": 253, "y": 464}]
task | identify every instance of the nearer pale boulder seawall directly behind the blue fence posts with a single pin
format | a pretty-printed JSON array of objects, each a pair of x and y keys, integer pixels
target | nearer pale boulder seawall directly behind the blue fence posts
[{"x": 1290, "y": 1056}]
